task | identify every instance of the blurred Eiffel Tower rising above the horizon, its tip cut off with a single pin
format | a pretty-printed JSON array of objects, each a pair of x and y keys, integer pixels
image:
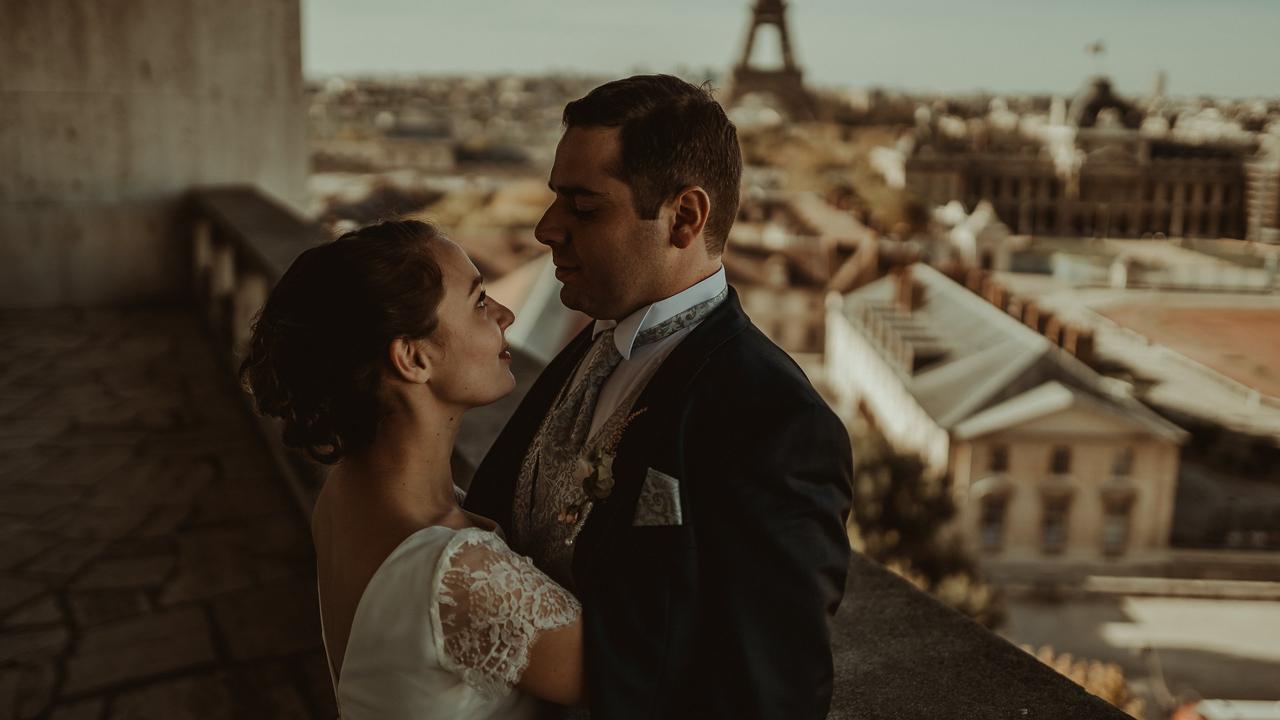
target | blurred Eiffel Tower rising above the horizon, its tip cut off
[{"x": 785, "y": 84}]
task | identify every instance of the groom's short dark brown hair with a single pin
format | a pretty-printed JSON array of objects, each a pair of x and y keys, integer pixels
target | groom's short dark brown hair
[{"x": 674, "y": 135}]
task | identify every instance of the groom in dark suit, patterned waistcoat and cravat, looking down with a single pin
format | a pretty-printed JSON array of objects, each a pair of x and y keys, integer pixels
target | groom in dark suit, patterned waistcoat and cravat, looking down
[{"x": 671, "y": 466}]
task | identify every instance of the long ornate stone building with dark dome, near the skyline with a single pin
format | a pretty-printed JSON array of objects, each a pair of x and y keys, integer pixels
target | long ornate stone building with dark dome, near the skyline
[{"x": 1092, "y": 172}]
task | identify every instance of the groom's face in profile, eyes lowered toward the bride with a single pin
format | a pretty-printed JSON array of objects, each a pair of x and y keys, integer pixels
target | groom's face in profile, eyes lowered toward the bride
[{"x": 609, "y": 259}]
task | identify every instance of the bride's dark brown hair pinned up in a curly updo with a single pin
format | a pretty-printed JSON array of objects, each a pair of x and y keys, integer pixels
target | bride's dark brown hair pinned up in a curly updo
[{"x": 321, "y": 343}]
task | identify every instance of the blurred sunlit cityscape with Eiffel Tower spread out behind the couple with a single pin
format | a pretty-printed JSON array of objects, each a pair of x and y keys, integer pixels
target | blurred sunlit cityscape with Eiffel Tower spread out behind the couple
[{"x": 1067, "y": 306}]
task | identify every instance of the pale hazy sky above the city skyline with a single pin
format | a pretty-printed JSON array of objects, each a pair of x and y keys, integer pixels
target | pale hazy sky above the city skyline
[{"x": 1208, "y": 47}]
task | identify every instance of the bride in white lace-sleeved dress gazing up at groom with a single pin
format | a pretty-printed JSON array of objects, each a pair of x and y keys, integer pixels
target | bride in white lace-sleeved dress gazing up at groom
[{"x": 369, "y": 350}]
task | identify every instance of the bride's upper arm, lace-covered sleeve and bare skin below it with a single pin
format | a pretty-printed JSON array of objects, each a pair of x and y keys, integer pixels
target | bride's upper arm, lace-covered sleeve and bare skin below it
[{"x": 502, "y": 623}]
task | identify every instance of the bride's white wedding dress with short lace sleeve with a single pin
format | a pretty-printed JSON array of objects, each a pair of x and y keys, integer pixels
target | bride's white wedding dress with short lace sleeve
[{"x": 445, "y": 630}]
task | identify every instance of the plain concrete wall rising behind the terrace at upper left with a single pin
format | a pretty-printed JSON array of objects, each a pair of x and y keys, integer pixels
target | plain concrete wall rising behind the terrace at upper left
[{"x": 111, "y": 111}]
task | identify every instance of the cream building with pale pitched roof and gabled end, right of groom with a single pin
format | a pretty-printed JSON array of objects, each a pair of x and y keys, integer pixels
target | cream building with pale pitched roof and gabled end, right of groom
[{"x": 1046, "y": 461}]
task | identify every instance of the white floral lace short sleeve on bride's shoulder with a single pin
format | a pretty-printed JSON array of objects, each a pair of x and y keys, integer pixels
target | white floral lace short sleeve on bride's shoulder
[{"x": 490, "y": 607}]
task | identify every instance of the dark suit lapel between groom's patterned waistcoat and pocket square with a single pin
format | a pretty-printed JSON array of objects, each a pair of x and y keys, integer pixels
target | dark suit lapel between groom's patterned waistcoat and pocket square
[{"x": 643, "y": 443}]
